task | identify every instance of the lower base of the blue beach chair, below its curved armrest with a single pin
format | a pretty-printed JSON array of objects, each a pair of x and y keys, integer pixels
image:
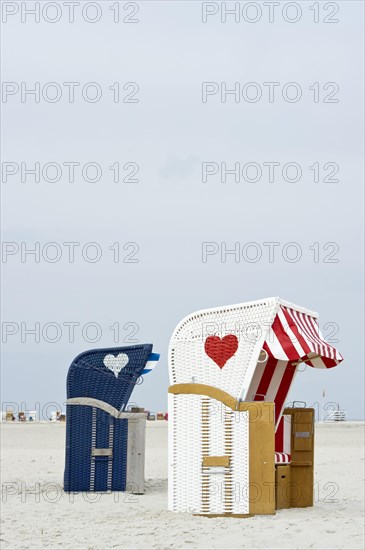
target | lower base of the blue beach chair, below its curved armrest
[{"x": 106, "y": 463}]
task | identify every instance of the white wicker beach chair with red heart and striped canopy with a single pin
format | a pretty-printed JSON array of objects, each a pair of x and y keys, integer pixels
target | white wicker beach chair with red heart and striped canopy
[{"x": 231, "y": 439}]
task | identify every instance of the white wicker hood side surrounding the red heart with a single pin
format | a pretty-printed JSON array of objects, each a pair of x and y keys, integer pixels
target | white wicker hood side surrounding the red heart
[{"x": 188, "y": 358}]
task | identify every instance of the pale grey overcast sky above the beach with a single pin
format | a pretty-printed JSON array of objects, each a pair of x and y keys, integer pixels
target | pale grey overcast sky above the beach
[{"x": 162, "y": 219}]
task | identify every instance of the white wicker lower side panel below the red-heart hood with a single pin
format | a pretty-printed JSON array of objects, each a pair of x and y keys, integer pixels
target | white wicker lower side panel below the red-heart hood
[{"x": 200, "y": 427}]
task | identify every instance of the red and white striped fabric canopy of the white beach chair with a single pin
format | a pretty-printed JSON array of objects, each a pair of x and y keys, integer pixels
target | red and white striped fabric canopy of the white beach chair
[{"x": 294, "y": 339}]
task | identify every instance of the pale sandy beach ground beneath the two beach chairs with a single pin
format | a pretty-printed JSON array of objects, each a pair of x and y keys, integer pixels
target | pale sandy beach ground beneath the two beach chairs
[{"x": 37, "y": 514}]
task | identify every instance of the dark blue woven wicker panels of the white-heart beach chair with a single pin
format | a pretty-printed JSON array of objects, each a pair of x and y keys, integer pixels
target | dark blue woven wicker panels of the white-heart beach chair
[{"x": 89, "y": 428}]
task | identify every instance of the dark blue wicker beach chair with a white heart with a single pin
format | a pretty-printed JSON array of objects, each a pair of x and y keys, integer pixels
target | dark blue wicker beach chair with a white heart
[{"x": 99, "y": 431}]
